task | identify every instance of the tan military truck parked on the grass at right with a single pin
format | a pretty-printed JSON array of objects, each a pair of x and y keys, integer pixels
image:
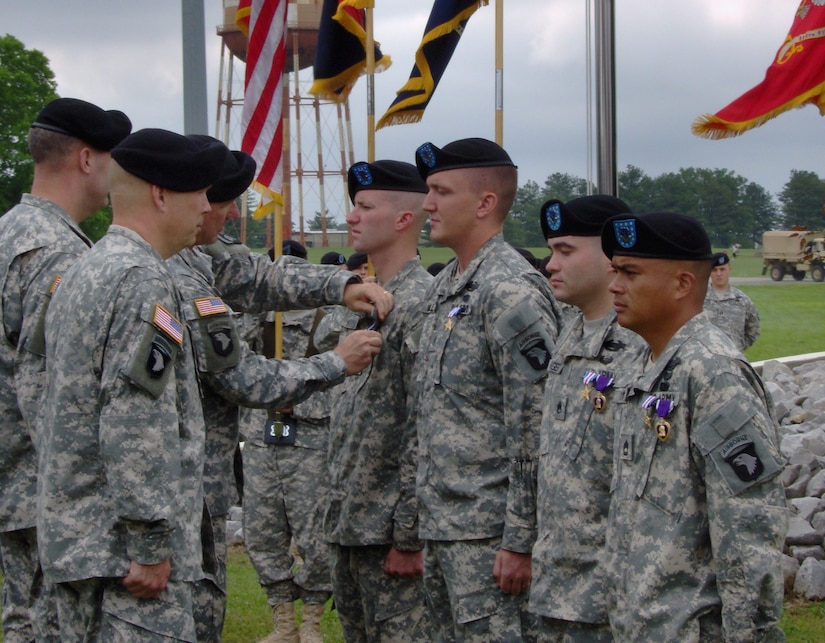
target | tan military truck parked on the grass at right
[{"x": 793, "y": 252}]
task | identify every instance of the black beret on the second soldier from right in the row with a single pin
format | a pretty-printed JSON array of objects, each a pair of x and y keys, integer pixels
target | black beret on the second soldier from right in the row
[{"x": 582, "y": 217}]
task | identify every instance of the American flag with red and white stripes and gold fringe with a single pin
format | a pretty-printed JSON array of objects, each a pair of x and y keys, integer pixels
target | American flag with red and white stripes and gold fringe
[{"x": 264, "y": 23}]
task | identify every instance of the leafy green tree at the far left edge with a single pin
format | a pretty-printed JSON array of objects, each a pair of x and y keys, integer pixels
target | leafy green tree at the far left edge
[{"x": 26, "y": 85}]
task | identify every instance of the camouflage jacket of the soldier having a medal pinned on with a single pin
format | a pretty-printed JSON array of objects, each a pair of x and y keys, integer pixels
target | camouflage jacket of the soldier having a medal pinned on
[{"x": 373, "y": 448}]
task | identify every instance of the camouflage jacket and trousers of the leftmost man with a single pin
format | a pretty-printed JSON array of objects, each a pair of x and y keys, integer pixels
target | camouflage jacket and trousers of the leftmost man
[{"x": 38, "y": 243}]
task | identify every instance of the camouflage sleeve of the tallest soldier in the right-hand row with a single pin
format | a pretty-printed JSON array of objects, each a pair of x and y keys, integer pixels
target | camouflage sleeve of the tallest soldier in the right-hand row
[{"x": 525, "y": 336}]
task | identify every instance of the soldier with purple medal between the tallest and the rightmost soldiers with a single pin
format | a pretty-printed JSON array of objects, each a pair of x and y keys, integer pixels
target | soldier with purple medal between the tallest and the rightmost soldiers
[{"x": 593, "y": 355}]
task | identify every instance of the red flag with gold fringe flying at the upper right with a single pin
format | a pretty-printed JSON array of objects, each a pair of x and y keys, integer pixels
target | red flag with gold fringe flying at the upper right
[{"x": 796, "y": 77}]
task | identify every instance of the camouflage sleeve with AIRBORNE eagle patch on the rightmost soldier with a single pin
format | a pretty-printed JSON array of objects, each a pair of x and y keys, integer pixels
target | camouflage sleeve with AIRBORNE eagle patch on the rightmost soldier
[{"x": 735, "y": 443}]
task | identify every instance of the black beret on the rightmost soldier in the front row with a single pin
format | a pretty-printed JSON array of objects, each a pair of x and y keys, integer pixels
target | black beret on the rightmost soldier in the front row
[{"x": 656, "y": 235}]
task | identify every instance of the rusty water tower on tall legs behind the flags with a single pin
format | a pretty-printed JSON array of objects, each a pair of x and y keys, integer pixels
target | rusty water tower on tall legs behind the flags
[{"x": 319, "y": 132}]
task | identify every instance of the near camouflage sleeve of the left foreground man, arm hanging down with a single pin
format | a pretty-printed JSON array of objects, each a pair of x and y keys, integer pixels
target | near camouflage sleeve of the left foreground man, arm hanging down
[{"x": 139, "y": 430}]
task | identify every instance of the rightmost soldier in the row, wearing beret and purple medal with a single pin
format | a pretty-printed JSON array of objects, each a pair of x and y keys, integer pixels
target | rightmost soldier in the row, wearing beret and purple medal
[{"x": 697, "y": 518}]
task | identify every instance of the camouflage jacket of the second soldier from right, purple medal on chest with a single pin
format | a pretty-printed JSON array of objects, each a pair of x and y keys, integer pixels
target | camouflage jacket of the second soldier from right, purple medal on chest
[{"x": 575, "y": 469}]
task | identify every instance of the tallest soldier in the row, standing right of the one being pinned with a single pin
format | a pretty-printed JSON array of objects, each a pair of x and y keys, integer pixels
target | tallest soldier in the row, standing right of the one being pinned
[{"x": 486, "y": 341}]
